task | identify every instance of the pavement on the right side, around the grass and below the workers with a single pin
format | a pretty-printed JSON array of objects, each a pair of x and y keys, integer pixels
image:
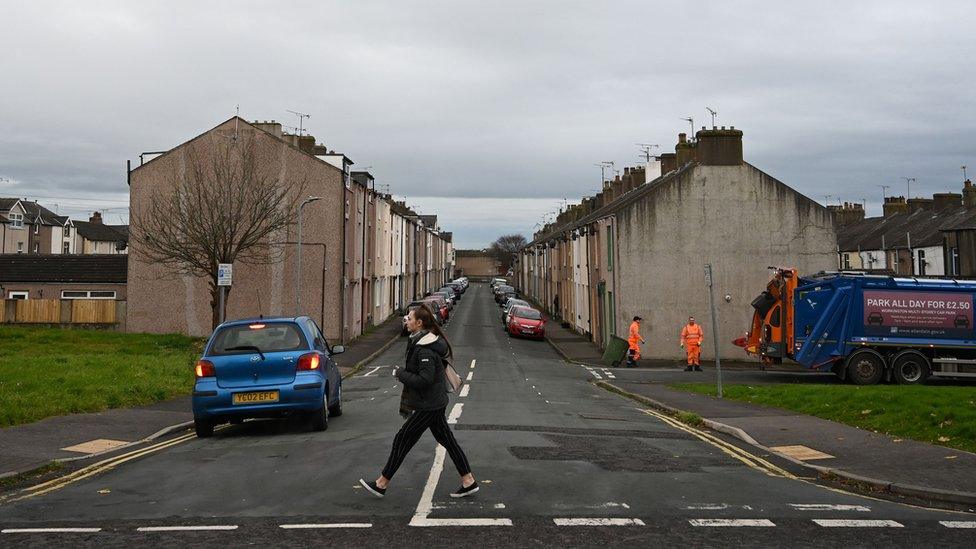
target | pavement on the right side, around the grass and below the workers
[{"x": 881, "y": 462}]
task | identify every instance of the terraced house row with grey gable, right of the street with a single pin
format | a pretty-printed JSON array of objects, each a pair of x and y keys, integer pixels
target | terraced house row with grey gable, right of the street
[{"x": 638, "y": 248}]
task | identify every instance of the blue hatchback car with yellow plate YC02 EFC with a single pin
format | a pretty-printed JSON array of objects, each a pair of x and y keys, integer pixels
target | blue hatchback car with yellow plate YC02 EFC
[{"x": 267, "y": 367}]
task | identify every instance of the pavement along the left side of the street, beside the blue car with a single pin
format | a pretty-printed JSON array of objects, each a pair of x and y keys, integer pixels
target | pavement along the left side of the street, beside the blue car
[{"x": 78, "y": 437}]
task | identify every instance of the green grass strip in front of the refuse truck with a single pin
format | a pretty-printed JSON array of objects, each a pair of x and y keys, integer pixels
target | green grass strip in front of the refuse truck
[{"x": 939, "y": 415}]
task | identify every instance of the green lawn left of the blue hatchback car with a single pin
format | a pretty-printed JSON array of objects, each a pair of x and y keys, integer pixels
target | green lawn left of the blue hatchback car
[{"x": 48, "y": 371}]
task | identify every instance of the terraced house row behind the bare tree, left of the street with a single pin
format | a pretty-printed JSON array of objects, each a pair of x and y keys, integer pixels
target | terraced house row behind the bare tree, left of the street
[{"x": 363, "y": 256}]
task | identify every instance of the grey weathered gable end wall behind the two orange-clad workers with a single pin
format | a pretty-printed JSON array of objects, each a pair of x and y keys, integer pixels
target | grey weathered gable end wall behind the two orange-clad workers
[{"x": 740, "y": 220}]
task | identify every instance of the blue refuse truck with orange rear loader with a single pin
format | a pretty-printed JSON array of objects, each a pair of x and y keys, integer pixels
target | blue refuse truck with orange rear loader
[{"x": 866, "y": 328}]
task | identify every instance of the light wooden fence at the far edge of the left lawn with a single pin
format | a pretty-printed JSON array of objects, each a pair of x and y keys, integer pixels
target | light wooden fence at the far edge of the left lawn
[{"x": 62, "y": 311}]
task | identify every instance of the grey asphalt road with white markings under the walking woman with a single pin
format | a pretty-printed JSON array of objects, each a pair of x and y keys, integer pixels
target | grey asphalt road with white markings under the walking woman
[{"x": 561, "y": 463}]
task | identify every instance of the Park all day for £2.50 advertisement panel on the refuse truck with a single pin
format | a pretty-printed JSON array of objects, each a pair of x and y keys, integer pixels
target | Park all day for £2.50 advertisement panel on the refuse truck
[{"x": 918, "y": 314}]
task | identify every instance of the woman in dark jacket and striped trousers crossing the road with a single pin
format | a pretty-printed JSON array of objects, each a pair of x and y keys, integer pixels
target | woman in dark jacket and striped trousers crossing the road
[{"x": 424, "y": 402}]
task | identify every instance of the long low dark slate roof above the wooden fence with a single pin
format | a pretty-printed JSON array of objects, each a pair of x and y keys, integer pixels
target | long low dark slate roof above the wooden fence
[{"x": 105, "y": 269}]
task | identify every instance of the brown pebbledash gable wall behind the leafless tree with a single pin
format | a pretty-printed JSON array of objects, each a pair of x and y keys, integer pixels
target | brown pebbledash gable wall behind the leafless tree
[{"x": 161, "y": 301}]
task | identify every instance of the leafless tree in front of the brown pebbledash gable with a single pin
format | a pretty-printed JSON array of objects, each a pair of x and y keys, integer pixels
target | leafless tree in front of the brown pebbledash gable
[{"x": 224, "y": 207}]
